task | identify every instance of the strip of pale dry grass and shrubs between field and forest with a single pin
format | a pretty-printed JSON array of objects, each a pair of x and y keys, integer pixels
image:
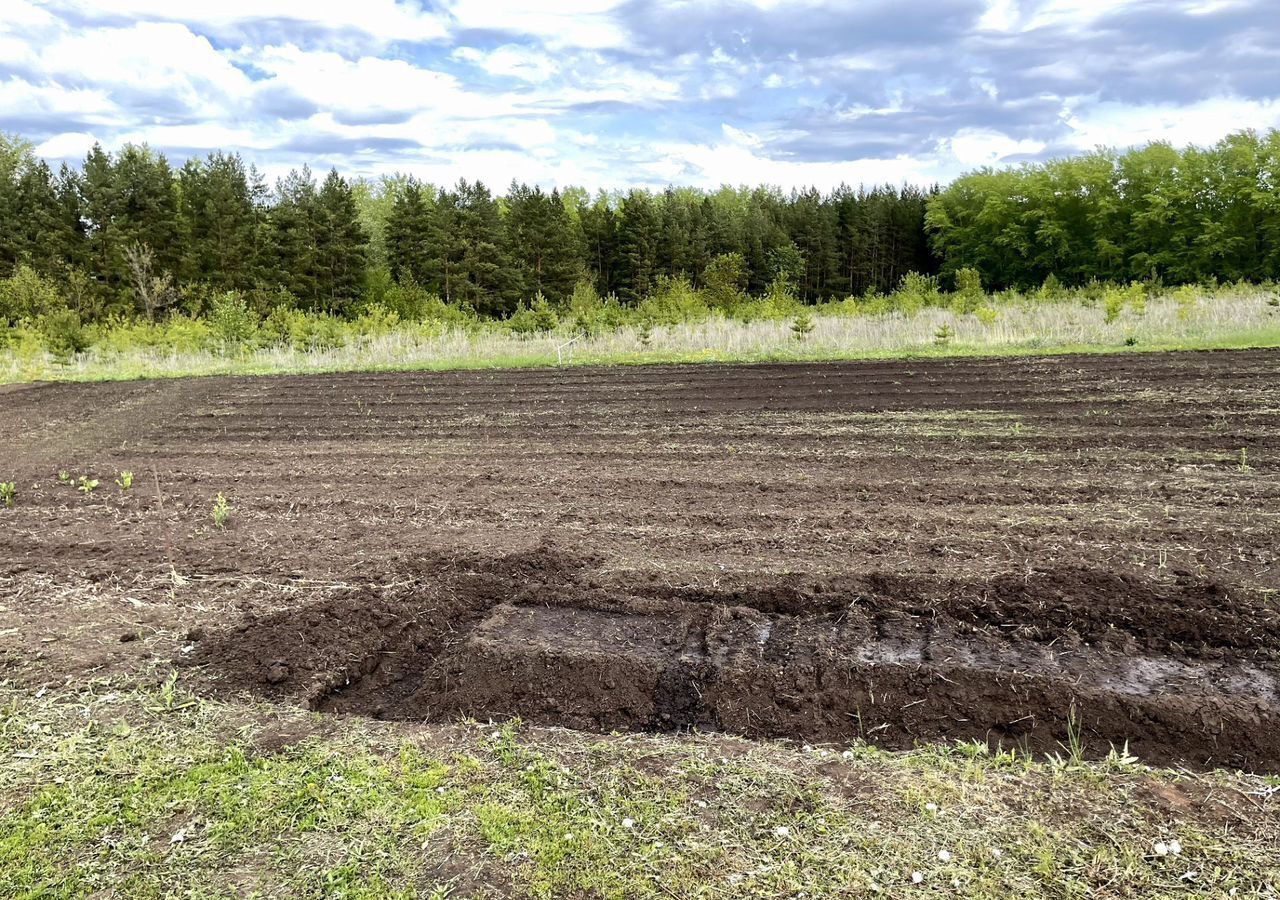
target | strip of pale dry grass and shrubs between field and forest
[{"x": 1232, "y": 318}]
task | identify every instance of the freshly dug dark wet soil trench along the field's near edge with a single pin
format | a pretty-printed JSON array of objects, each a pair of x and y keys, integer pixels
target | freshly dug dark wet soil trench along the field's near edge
[{"x": 839, "y": 665}]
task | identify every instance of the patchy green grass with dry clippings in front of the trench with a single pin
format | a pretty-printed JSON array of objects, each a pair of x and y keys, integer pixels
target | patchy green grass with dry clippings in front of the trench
[{"x": 108, "y": 791}]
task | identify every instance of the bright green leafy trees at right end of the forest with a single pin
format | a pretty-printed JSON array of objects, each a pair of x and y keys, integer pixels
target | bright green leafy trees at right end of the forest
[{"x": 1191, "y": 216}]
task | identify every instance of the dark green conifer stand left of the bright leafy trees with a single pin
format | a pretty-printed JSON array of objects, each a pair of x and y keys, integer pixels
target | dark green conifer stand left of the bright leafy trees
[{"x": 127, "y": 232}]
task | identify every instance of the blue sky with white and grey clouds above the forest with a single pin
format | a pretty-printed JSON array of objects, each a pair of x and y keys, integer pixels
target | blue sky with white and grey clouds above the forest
[{"x": 615, "y": 94}]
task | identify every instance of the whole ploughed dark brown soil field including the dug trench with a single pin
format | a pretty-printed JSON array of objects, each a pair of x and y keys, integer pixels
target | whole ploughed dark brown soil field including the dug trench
[{"x": 898, "y": 552}]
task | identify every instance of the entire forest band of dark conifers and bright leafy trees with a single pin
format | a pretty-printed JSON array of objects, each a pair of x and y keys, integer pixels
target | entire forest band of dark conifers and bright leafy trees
[{"x": 130, "y": 236}]
